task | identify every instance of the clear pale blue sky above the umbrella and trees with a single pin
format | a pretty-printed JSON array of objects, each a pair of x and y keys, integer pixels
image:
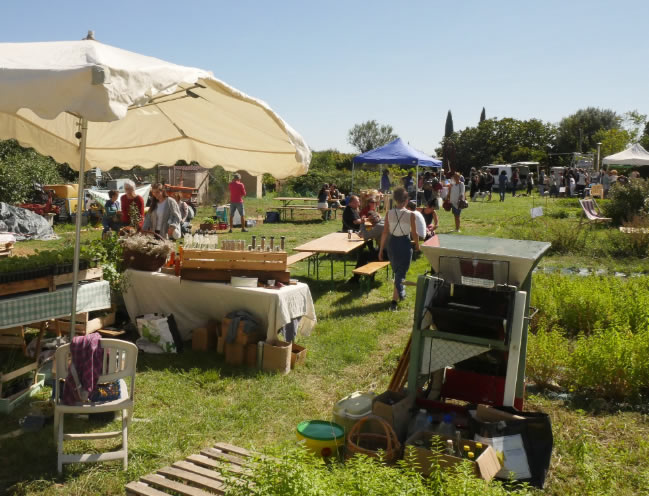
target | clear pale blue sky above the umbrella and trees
[{"x": 327, "y": 65}]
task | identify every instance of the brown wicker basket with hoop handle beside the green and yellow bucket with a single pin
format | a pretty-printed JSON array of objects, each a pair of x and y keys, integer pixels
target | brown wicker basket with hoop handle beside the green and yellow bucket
[{"x": 369, "y": 443}]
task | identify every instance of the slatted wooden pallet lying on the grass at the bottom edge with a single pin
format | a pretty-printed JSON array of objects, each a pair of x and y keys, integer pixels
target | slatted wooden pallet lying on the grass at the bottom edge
[{"x": 203, "y": 474}]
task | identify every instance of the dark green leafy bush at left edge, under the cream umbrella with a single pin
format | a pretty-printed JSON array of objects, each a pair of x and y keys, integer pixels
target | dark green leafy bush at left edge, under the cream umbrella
[{"x": 21, "y": 167}]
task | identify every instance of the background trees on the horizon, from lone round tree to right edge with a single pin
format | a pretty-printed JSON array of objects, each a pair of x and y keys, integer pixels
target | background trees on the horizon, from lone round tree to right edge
[{"x": 509, "y": 140}]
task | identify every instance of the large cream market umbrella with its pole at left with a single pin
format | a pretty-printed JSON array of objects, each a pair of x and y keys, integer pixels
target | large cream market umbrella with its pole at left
[{"x": 94, "y": 105}]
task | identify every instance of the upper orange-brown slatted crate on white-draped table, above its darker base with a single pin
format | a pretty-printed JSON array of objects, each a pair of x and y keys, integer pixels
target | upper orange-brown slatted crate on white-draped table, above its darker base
[{"x": 234, "y": 260}]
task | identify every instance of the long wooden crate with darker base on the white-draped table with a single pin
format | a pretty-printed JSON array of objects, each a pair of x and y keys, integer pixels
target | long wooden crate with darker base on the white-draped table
[{"x": 221, "y": 265}]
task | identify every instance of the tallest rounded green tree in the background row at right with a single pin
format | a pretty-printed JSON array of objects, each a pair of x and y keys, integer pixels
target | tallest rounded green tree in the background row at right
[{"x": 577, "y": 131}]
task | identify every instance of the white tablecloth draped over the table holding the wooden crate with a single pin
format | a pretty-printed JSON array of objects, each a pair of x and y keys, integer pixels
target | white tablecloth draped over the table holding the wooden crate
[{"x": 193, "y": 303}]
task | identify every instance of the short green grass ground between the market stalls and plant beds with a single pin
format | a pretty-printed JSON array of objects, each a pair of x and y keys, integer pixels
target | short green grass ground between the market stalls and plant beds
[{"x": 185, "y": 402}]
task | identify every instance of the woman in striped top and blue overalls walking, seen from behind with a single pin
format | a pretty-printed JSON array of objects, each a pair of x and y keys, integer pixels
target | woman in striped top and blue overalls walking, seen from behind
[{"x": 399, "y": 223}]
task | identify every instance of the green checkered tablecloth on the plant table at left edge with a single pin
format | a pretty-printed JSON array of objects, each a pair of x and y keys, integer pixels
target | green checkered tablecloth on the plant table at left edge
[{"x": 35, "y": 307}]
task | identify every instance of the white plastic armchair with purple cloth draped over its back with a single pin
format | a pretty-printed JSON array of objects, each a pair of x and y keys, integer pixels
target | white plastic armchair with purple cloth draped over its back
[{"x": 120, "y": 359}]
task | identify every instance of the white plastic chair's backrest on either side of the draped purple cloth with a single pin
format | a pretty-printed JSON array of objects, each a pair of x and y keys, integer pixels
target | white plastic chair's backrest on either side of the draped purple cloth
[{"x": 120, "y": 360}]
